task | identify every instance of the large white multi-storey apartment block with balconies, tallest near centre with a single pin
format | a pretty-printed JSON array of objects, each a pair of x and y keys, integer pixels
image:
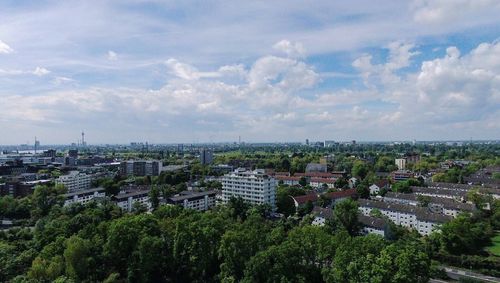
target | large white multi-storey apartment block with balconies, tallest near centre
[{"x": 255, "y": 187}]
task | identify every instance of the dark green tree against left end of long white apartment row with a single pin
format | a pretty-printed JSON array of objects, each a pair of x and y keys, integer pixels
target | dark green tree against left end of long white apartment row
[{"x": 346, "y": 214}]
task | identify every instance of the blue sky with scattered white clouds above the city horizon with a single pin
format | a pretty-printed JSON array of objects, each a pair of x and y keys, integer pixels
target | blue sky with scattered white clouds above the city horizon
[{"x": 268, "y": 71}]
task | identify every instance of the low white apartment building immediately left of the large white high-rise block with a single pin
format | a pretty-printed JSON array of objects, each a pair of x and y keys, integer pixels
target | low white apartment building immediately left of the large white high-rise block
[{"x": 200, "y": 201}]
